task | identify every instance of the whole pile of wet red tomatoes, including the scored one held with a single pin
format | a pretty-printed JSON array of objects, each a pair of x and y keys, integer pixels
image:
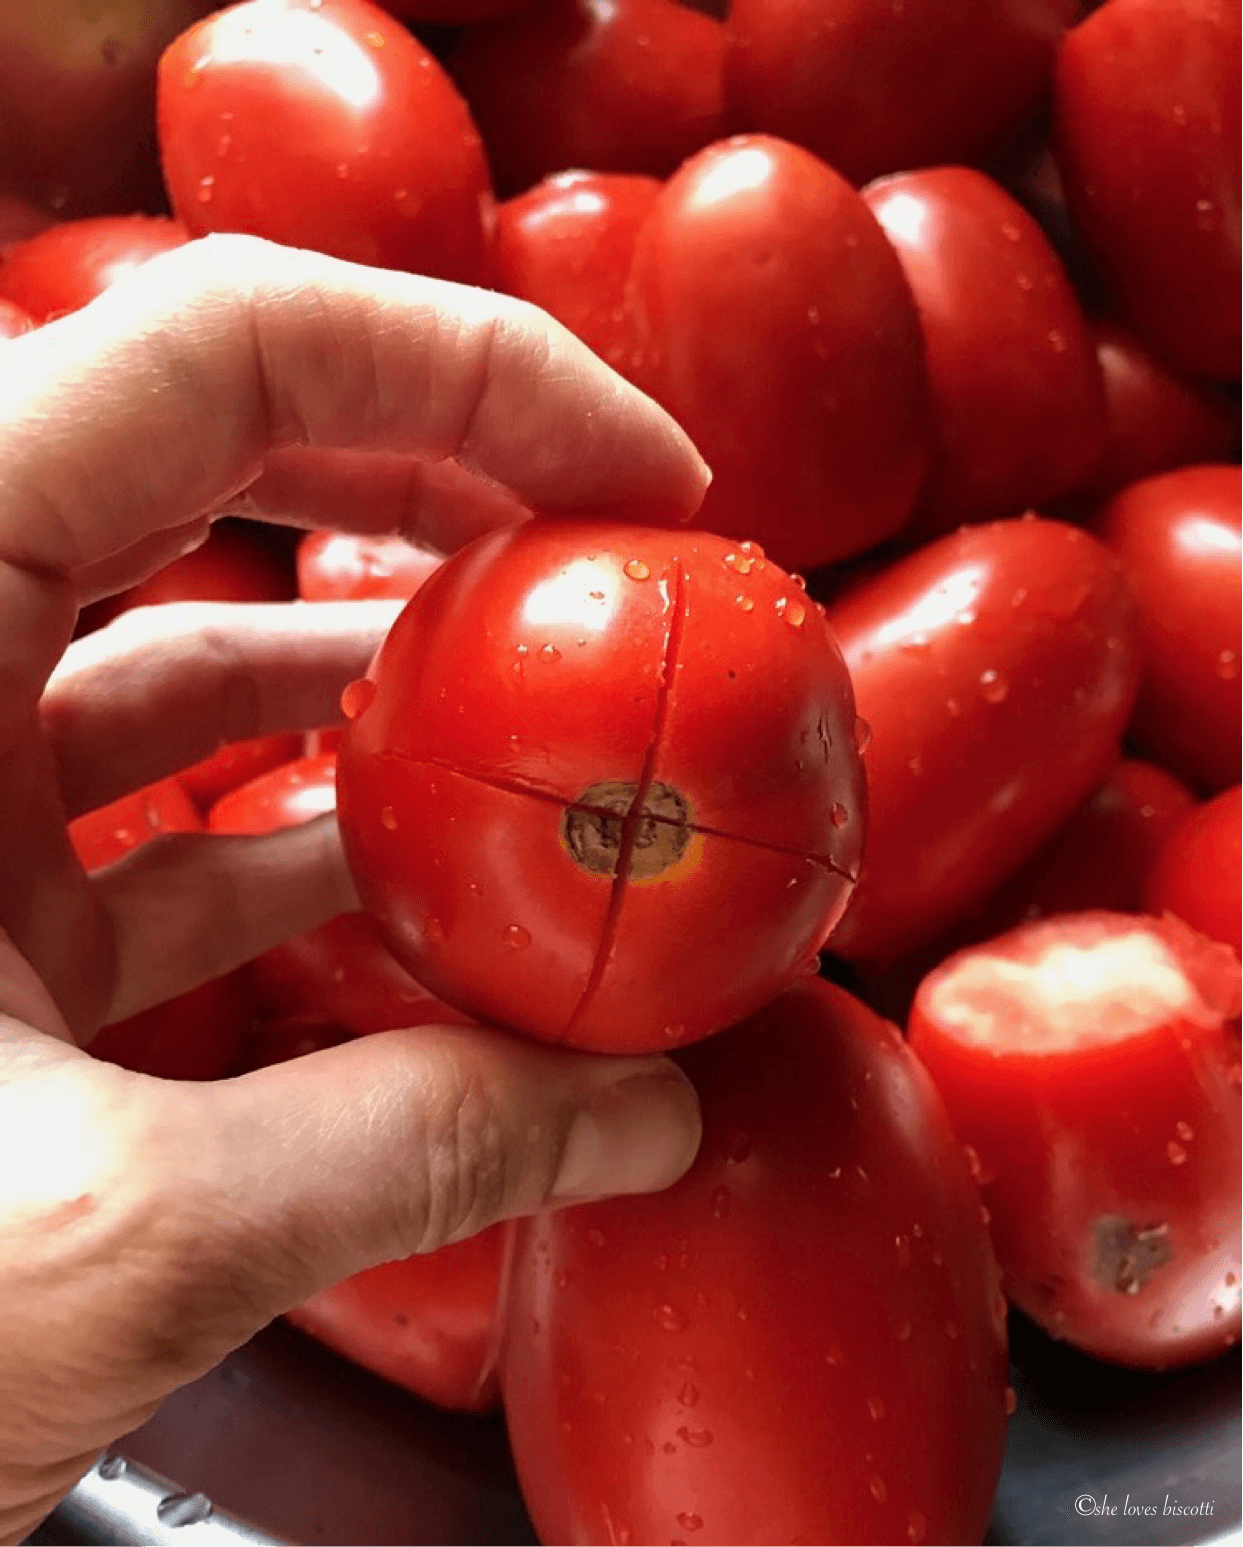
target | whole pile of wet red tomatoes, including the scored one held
[{"x": 909, "y": 276}]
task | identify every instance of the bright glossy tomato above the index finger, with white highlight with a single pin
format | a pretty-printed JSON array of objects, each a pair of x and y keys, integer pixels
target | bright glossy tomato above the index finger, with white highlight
[{"x": 324, "y": 125}]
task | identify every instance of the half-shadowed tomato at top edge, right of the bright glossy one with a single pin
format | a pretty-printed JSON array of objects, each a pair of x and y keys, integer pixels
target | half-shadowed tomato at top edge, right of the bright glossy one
[{"x": 626, "y": 86}]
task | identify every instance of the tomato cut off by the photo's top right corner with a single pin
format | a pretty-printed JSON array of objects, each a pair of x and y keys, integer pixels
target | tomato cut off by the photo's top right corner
[{"x": 1148, "y": 135}]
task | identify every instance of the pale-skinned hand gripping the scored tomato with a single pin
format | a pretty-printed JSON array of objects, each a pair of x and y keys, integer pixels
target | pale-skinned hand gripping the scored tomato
[{"x": 149, "y": 1228}]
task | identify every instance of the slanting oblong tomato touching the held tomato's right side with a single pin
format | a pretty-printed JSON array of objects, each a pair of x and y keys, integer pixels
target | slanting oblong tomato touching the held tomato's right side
[{"x": 998, "y": 669}]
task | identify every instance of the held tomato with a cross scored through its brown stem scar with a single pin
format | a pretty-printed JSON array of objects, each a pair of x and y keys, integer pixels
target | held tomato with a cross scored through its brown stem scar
[{"x": 603, "y": 785}]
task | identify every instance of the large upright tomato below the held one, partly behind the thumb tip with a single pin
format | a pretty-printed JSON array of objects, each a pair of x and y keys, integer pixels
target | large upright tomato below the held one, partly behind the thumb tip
[{"x": 803, "y": 1340}]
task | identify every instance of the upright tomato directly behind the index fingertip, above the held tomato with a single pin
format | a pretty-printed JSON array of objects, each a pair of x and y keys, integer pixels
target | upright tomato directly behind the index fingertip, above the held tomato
[{"x": 772, "y": 318}]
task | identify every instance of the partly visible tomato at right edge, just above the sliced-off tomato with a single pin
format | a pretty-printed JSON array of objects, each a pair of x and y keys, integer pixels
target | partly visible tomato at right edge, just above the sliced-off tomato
[{"x": 1197, "y": 873}]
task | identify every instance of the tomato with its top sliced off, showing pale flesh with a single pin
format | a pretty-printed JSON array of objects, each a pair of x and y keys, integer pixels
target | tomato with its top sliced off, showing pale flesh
[{"x": 1091, "y": 1065}]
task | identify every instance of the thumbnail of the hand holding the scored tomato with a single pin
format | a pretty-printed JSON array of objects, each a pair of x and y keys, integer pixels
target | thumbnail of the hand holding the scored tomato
[{"x": 637, "y": 1136}]
